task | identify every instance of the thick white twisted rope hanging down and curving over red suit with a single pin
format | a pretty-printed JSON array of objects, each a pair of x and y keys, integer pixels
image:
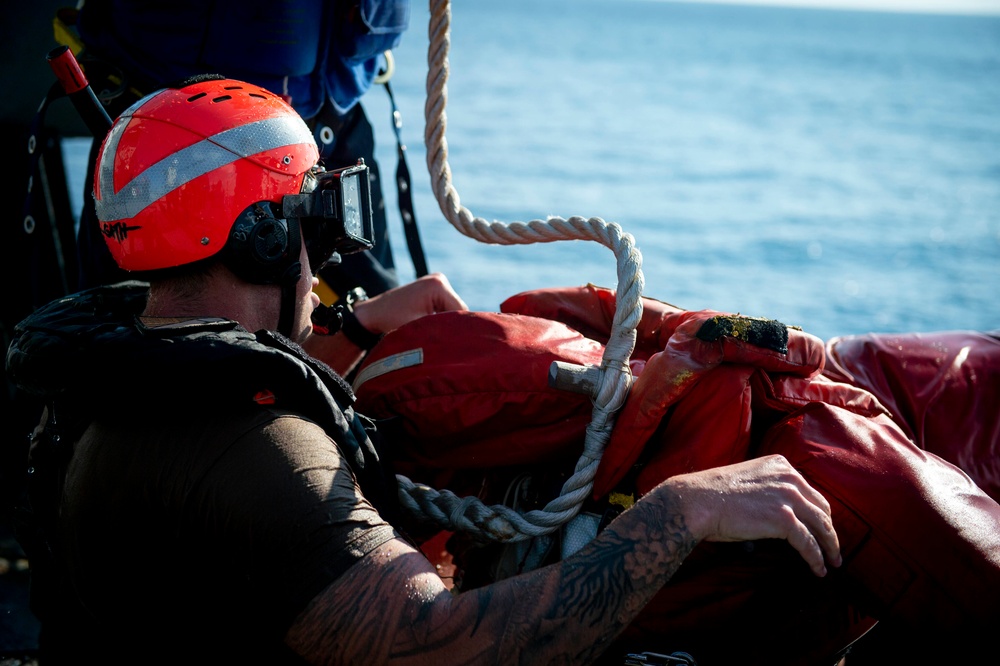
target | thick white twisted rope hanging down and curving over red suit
[{"x": 501, "y": 523}]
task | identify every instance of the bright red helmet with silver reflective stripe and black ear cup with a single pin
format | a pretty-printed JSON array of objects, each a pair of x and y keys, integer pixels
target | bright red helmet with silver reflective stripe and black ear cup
[{"x": 186, "y": 172}]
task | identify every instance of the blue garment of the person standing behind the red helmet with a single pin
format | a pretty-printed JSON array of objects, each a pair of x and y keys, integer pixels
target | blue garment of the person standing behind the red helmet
[{"x": 310, "y": 50}]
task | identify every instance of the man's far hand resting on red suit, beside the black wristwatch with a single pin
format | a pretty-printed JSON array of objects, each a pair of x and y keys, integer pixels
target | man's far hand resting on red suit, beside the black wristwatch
[{"x": 391, "y": 309}]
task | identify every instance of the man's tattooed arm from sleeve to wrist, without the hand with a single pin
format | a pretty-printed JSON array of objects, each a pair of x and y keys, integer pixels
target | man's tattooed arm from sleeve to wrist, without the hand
[{"x": 393, "y": 608}]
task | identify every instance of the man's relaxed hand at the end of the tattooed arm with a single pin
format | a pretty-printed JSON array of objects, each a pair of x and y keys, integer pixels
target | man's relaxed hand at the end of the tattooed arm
[{"x": 763, "y": 498}]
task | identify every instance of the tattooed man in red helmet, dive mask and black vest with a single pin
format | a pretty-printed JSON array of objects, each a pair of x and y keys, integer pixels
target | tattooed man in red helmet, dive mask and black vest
[{"x": 203, "y": 488}]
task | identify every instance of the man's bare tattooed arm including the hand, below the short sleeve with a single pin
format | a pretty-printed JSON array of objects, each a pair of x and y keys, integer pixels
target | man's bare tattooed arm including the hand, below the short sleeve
[{"x": 392, "y": 607}]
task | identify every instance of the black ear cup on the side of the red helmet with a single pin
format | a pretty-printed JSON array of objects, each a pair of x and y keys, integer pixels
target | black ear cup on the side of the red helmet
[{"x": 260, "y": 248}]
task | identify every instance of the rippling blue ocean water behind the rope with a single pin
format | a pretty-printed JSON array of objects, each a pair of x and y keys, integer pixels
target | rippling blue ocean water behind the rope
[{"x": 834, "y": 170}]
